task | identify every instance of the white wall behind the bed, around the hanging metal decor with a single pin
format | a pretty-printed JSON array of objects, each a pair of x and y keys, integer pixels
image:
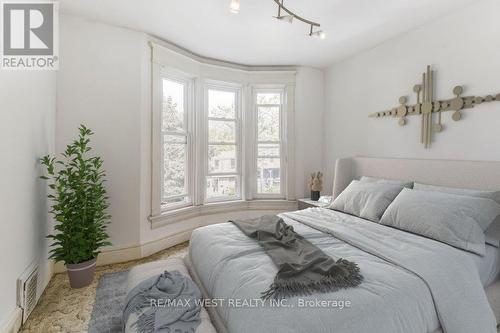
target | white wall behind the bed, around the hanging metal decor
[{"x": 461, "y": 47}]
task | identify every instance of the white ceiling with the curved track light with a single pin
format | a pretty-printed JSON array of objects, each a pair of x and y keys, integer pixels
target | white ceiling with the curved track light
[{"x": 253, "y": 37}]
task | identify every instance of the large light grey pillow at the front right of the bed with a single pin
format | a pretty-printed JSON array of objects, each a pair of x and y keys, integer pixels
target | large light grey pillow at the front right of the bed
[{"x": 449, "y": 218}]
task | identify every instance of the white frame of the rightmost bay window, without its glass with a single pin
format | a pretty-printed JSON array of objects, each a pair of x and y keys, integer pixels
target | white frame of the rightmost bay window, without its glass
[{"x": 281, "y": 89}]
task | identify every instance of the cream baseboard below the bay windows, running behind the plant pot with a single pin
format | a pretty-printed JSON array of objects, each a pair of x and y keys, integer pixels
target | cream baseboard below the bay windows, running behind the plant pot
[{"x": 134, "y": 251}]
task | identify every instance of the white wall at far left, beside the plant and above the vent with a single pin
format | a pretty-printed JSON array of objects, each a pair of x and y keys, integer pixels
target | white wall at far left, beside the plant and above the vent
[{"x": 27, "y": 121}]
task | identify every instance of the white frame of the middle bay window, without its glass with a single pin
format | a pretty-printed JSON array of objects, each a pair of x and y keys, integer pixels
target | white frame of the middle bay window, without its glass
[{"x": 237, "y": 90}]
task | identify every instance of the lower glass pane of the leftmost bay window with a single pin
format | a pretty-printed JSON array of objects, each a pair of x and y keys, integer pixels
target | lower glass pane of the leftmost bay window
[{"x": 174, "y": 165}]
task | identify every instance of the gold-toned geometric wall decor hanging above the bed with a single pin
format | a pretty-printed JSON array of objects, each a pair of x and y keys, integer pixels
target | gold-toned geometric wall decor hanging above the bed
[{"x": 426, "y": 107}]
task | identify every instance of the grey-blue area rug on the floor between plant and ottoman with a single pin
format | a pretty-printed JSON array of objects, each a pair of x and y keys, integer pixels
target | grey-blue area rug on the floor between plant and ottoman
[{"x": 106, "y": 315}]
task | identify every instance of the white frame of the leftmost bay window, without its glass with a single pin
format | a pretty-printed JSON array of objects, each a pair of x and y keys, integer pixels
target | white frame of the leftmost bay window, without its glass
[{"x": 158, "y": 204}]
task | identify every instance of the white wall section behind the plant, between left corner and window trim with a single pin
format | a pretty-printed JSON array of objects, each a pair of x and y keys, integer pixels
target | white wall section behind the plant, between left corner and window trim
[{"x": 99, "y": 85}]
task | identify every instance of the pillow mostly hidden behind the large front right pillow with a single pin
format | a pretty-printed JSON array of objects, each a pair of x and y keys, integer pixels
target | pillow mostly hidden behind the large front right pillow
[{"x": 493, "y": 232}]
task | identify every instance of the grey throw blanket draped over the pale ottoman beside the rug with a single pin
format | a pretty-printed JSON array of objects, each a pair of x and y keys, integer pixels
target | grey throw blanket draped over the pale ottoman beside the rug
[{"x": 166, "y": 303}]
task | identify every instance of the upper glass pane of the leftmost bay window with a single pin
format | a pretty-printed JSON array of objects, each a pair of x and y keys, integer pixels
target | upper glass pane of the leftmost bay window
[{"x": 173, "y": 105}]
